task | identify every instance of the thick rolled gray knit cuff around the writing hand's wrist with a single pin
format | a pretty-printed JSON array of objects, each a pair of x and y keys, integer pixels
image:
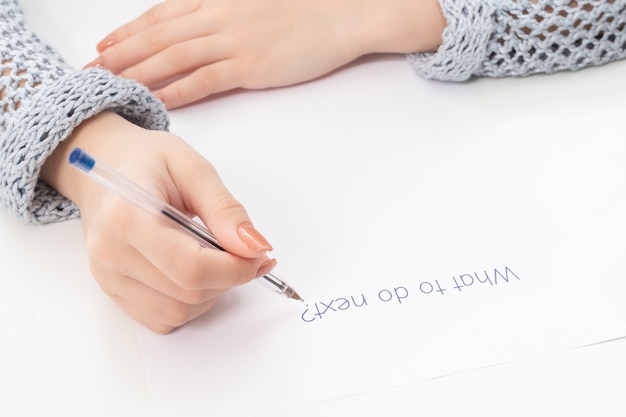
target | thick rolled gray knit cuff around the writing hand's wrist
[{"x": 50, "y": 116}]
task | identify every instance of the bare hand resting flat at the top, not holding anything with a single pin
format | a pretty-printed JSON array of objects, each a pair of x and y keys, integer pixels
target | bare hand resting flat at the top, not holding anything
[{"x": 190, "y": 49}]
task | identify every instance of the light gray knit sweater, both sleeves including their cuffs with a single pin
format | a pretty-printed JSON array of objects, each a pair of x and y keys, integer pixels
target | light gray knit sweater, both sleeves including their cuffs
[{"x": 43, "y": 99}]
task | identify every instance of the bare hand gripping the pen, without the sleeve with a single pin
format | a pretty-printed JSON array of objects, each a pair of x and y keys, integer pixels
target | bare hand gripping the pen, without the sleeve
[{"x": 158, "y": 274}]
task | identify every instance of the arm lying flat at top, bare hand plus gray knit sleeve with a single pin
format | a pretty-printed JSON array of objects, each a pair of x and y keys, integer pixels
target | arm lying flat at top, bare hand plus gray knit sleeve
[{"x": 200, "y": 47}]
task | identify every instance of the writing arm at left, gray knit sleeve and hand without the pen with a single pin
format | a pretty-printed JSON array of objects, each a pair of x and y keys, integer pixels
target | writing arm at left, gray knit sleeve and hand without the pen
[{"x": 157, "y": 274}]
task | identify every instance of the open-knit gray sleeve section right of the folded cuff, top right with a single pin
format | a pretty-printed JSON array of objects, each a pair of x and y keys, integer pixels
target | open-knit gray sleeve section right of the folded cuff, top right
[{"x": 546, "y": 36}]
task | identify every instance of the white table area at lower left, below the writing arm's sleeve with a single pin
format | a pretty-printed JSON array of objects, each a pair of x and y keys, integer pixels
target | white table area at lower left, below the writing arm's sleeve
[{"x": 67, "y": 350}]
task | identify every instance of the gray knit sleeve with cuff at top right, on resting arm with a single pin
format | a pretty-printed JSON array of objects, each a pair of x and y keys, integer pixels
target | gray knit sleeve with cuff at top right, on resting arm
[{"x": 522, "y": 37}]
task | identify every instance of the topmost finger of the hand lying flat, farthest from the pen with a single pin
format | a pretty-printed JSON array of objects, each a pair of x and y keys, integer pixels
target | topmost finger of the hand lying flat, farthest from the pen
[{"x": 160, "y": 13}]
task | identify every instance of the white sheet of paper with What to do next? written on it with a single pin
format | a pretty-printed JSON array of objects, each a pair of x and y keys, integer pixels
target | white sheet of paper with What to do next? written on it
[{"x": 423, "y": 244}]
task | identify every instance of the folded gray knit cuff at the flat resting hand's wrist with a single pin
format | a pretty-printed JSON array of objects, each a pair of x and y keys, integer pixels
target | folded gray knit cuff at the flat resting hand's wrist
[{"x": 464, "y": 42}]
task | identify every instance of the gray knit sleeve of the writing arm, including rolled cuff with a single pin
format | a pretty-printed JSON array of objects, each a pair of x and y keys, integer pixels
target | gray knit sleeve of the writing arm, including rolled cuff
[{"x": 42, "y": 100}]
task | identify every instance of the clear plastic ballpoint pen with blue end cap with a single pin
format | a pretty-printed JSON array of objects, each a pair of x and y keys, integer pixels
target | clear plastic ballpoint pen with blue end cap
[{"x": 135, "y": 194}]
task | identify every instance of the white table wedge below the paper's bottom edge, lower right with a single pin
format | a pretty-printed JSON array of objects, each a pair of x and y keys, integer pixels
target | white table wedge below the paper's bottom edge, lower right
[{"x": 580, "y": 382}]
